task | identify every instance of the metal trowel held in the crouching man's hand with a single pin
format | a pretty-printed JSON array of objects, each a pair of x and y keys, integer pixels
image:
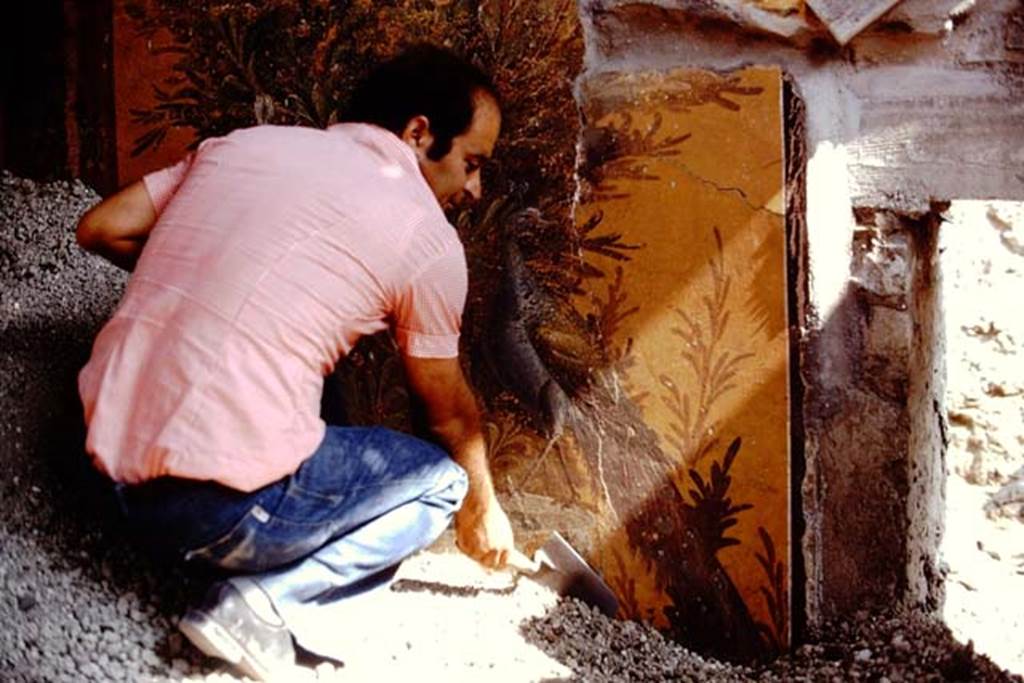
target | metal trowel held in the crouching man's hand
[{"x": 560, "y": 568}]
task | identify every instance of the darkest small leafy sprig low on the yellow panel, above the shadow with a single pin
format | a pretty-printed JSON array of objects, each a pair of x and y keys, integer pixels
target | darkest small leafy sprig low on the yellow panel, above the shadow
[{"x": 713, "y": 510}]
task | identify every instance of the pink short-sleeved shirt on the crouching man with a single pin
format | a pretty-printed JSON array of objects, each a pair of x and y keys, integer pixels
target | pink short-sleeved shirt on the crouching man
[{"x": 275, "y": 250}]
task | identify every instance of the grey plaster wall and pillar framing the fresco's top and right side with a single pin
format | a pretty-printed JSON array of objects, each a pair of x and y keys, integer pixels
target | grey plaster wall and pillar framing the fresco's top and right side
[{"x": 922, "y": 106}]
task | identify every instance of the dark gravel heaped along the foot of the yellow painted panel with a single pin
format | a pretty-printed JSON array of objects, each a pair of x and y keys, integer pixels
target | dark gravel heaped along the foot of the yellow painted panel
[{"x": 876, "y": 648}]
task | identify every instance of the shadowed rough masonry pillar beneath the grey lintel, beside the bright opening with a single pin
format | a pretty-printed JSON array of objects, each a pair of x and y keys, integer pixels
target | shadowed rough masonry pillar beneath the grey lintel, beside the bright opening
[{"x": 878, "y": 437}]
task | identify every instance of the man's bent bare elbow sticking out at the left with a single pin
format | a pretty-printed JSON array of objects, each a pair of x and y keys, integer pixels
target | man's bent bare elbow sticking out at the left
[{"x": 117, "y": 228}]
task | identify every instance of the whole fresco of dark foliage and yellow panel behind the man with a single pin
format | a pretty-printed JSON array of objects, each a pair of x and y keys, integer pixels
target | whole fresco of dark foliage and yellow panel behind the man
[{"x": 626, "y": 332}]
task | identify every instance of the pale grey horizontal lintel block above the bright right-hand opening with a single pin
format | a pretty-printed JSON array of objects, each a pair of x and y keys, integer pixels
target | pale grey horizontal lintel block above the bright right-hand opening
[{"x": 920, "y": 127}]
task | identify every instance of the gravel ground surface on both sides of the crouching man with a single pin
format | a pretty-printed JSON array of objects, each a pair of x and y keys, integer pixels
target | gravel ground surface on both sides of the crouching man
[{"x": 79, "y": 604}]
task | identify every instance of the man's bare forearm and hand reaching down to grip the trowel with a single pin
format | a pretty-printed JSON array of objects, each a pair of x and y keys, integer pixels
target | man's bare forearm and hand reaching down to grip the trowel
[{"x": 483, "y": 529}]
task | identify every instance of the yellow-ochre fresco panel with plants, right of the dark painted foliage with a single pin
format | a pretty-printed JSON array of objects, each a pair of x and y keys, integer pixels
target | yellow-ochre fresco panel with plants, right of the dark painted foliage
[{"x": 688, "y": 169}]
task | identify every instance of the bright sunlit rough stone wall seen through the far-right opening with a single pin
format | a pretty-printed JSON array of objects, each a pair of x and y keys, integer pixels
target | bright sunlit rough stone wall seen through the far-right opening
[{"x": 983, "y": 260}]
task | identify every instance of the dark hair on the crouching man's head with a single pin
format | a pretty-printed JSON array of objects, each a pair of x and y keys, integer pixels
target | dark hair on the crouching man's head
[{"x": 424, "y": 80}]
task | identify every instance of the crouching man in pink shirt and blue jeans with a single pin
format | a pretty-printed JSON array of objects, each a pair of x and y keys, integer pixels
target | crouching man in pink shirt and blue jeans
[{"x": 259, "y": 263}]
